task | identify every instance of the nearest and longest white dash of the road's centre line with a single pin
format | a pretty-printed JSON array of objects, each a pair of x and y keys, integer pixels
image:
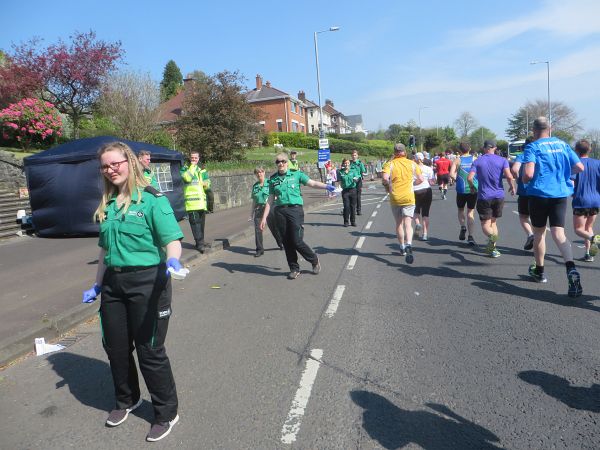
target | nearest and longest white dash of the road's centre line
[{"x": 292, "y": 424}]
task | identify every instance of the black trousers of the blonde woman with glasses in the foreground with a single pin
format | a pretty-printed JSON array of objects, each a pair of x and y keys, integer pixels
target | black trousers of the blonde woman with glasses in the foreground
[{"x": 134, "y": 313}]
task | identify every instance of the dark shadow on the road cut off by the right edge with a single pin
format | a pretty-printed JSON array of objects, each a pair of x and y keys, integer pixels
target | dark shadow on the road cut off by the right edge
[{"x": 576, "y": 397}]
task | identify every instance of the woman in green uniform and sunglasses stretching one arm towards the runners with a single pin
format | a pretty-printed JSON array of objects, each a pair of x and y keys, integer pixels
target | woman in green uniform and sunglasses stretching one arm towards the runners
[{"x": 285, "y": 195}]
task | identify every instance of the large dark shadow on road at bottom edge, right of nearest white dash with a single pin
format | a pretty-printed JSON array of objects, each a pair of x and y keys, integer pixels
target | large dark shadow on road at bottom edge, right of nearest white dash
[{"x": 393, "y": 427}]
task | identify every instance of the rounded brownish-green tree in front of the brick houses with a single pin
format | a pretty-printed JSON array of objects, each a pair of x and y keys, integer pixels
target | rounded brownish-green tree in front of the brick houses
[{"x": 218, "y": 121}]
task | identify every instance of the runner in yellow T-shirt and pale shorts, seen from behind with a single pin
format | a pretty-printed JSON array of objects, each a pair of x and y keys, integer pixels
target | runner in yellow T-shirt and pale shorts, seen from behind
[{"x": 399, "y": 176}]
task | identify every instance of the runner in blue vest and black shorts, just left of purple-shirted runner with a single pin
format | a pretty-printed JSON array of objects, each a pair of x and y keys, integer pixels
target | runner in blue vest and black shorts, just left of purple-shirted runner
[{"x": 464, "y": 194}]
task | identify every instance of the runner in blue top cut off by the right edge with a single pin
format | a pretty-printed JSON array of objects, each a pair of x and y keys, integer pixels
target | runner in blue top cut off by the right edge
[{"x": 586, "y": 200}]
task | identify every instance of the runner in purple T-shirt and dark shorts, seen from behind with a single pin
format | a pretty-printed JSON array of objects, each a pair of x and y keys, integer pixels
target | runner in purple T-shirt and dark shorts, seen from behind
[{"x": 489, "y": 169}]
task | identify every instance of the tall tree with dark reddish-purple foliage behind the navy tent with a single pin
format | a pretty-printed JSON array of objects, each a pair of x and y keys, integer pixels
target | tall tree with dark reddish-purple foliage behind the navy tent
[{"x": 71, "y": 74}]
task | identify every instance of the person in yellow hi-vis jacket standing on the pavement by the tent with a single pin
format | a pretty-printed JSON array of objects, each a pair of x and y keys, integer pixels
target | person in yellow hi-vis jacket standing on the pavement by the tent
[{"x": 196, "y": 182}]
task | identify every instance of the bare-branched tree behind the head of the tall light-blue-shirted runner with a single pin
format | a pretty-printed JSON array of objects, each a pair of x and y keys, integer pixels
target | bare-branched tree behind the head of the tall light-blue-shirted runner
[{"x": 564, "y": 119}]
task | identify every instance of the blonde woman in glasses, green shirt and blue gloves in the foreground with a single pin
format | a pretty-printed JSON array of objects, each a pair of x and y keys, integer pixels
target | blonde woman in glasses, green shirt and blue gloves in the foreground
[{"x": 139, "y": 243}]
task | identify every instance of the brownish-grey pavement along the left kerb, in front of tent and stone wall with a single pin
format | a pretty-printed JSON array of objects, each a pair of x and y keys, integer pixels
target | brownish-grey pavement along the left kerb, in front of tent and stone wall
[{"x": 42, "y": 278}]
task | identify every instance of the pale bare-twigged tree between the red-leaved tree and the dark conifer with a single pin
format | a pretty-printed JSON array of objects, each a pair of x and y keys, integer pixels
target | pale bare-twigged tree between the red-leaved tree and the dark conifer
[{"x": 130, "y": 101}]
